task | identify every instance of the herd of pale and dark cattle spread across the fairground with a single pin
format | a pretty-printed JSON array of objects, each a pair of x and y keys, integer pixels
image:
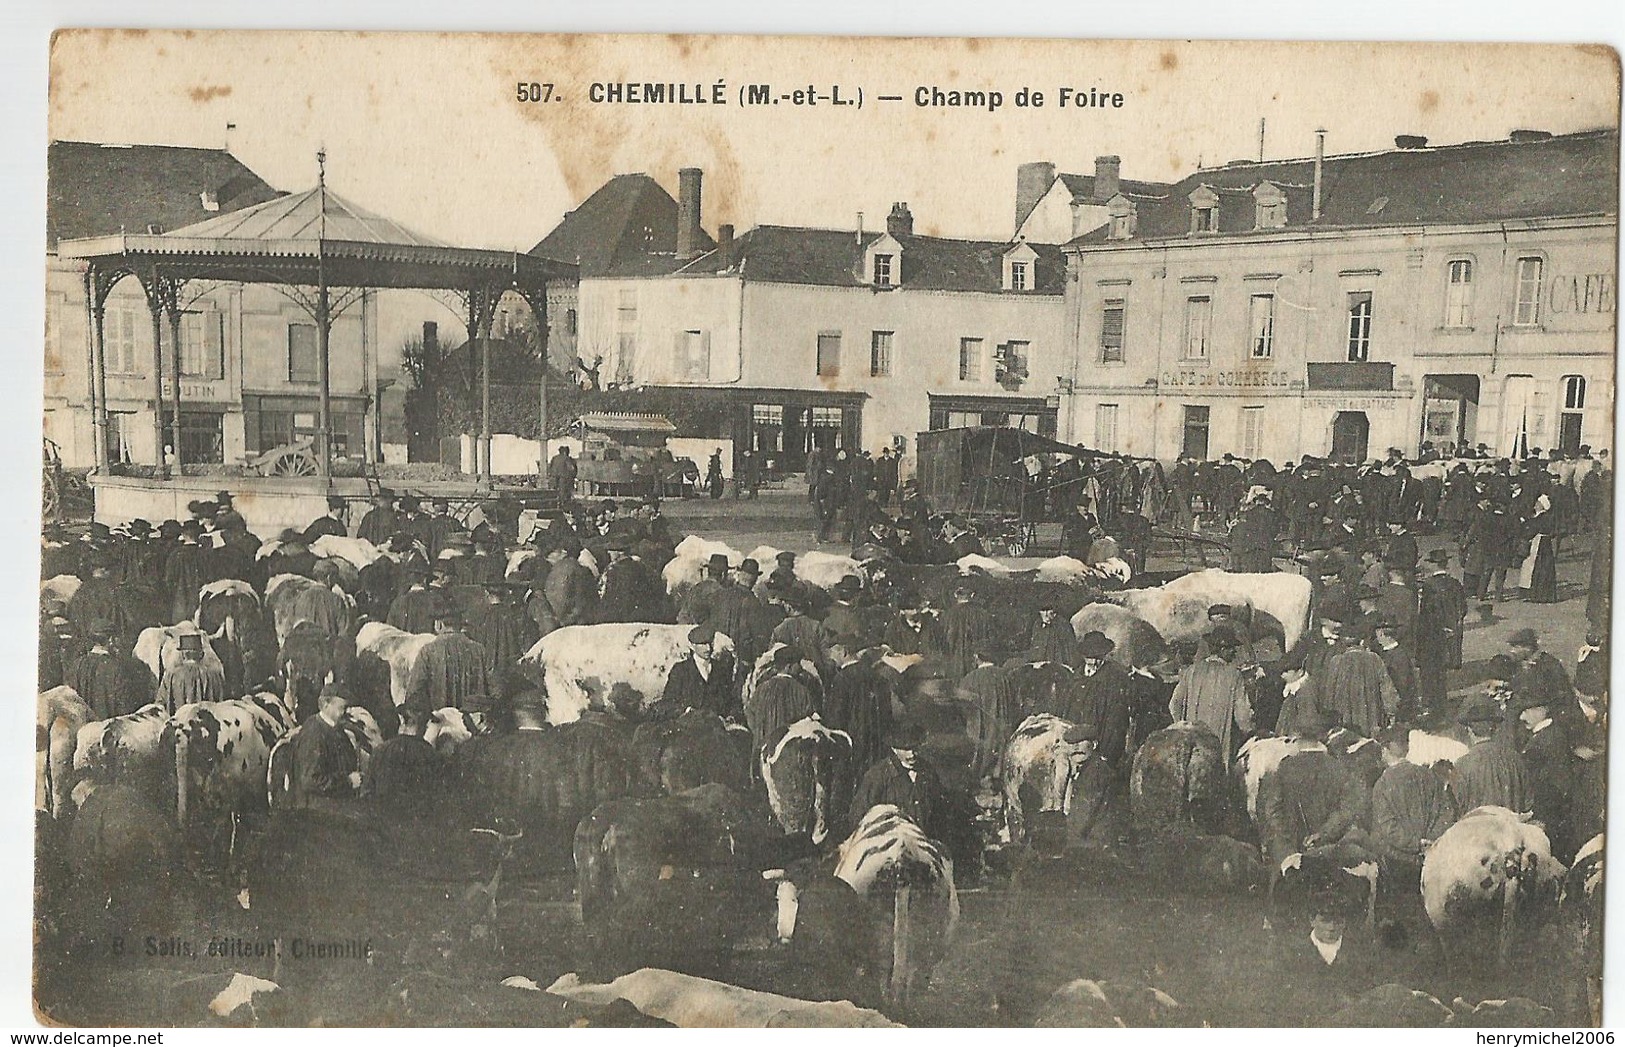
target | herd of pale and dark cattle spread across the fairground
[{"x": 672, "y": 825}]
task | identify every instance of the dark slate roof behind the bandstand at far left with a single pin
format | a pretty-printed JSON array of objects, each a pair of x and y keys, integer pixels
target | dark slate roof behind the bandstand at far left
[{"x": 98, "y": 189}]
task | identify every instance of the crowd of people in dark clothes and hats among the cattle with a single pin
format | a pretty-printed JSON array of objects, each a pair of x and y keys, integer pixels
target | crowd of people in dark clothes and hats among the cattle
[{"x": 1385, "y": 633}]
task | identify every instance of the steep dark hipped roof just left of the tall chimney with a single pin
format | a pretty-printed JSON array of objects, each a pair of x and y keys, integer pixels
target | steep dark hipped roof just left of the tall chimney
[{"x": 626, "y": 228}]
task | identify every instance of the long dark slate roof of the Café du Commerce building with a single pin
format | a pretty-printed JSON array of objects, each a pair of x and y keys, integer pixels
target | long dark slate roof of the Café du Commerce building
[{"x": 1454, "y": 185}]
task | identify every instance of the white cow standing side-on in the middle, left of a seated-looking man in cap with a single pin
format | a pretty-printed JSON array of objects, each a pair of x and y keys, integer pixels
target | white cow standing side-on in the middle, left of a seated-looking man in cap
[{"x": 613, "y": 666}]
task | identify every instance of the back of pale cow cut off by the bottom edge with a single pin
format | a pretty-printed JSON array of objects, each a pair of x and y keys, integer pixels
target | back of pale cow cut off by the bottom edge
[{"x": 693, "y": 1002}]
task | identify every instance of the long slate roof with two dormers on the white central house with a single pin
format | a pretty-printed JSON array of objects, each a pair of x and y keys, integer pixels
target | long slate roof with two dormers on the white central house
[{"x": 833, "y": 258}]
